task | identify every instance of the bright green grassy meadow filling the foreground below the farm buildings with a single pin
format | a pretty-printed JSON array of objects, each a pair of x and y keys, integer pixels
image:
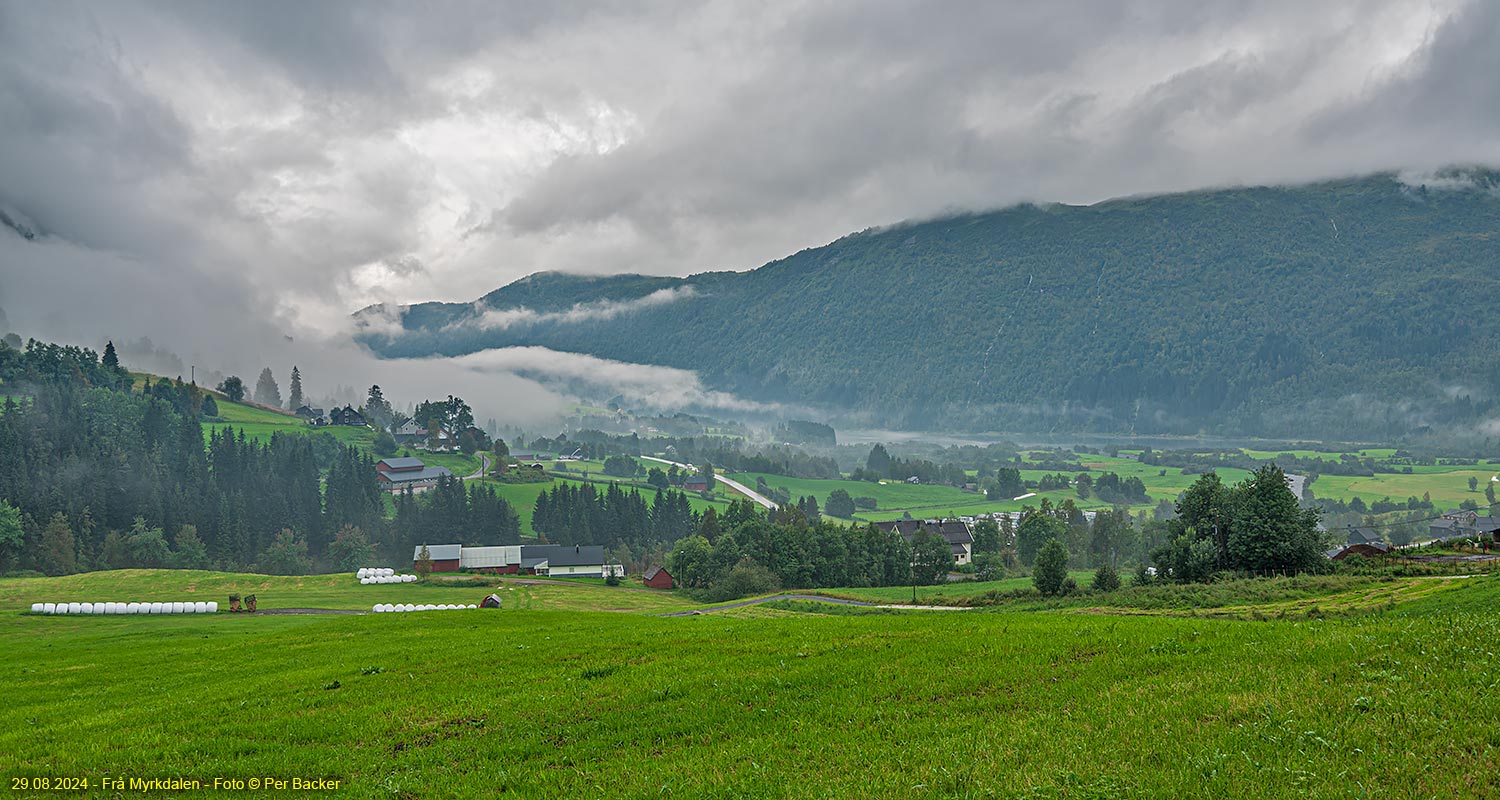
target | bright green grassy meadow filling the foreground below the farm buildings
[{"x": 580, "y": 691}]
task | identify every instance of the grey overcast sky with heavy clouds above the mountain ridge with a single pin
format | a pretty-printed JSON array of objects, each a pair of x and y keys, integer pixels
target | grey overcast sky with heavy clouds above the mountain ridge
[{"x": 245, "y": 169}]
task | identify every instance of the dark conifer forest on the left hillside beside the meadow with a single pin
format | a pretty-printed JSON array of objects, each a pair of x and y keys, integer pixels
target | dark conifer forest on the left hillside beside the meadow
[{"x": 100, "y": 474}]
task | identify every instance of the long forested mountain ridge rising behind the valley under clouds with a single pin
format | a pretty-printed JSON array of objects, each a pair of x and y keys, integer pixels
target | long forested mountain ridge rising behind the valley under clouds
[{"x": 1348, "y": 310}]
